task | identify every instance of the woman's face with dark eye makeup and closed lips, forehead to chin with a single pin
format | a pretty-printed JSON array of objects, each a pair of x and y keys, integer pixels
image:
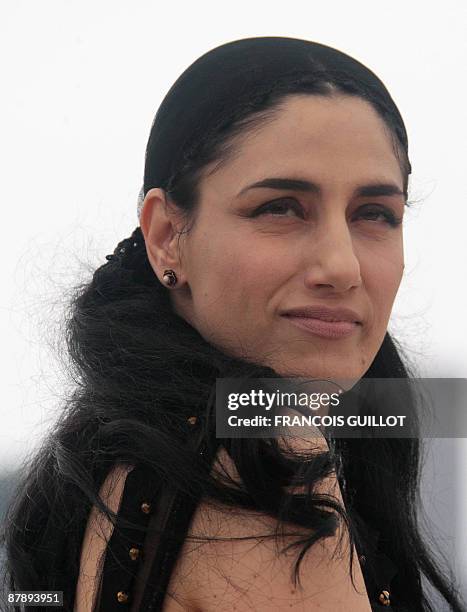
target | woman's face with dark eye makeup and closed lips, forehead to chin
[{"x": 325, "y": 238}]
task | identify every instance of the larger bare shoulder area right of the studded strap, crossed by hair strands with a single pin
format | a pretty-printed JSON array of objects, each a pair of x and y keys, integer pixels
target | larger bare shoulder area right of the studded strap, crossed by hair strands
[{"x": 251, "y": 574}]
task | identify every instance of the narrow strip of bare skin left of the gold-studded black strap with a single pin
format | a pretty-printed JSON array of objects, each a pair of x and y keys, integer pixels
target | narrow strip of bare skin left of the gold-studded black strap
[{"x": 98, "y": 532}]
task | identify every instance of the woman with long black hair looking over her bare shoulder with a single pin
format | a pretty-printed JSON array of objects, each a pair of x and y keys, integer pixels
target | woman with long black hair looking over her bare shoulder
[{"x": 276, "y": 179}]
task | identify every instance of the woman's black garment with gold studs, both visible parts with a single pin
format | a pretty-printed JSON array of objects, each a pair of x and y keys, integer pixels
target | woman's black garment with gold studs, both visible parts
[{"x": 145, "y": 502}]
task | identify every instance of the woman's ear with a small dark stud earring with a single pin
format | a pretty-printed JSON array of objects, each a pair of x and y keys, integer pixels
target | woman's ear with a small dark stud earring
[{"x": 160, "y": 225}]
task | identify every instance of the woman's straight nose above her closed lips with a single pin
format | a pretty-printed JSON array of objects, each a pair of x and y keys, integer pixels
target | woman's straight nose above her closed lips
[{"x": 333, "y": 263}]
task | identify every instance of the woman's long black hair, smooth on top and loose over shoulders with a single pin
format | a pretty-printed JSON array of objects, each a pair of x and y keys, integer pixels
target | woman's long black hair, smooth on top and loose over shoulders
[{"x": 140, "y": 371}]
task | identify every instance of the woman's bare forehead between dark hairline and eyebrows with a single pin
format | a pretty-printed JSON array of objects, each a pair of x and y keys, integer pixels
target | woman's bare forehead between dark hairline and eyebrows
[{"x": 337, "y": 141}]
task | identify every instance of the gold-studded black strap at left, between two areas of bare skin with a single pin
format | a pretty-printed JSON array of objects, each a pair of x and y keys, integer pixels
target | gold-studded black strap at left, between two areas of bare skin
[{"x": 153, "y": 507}]
